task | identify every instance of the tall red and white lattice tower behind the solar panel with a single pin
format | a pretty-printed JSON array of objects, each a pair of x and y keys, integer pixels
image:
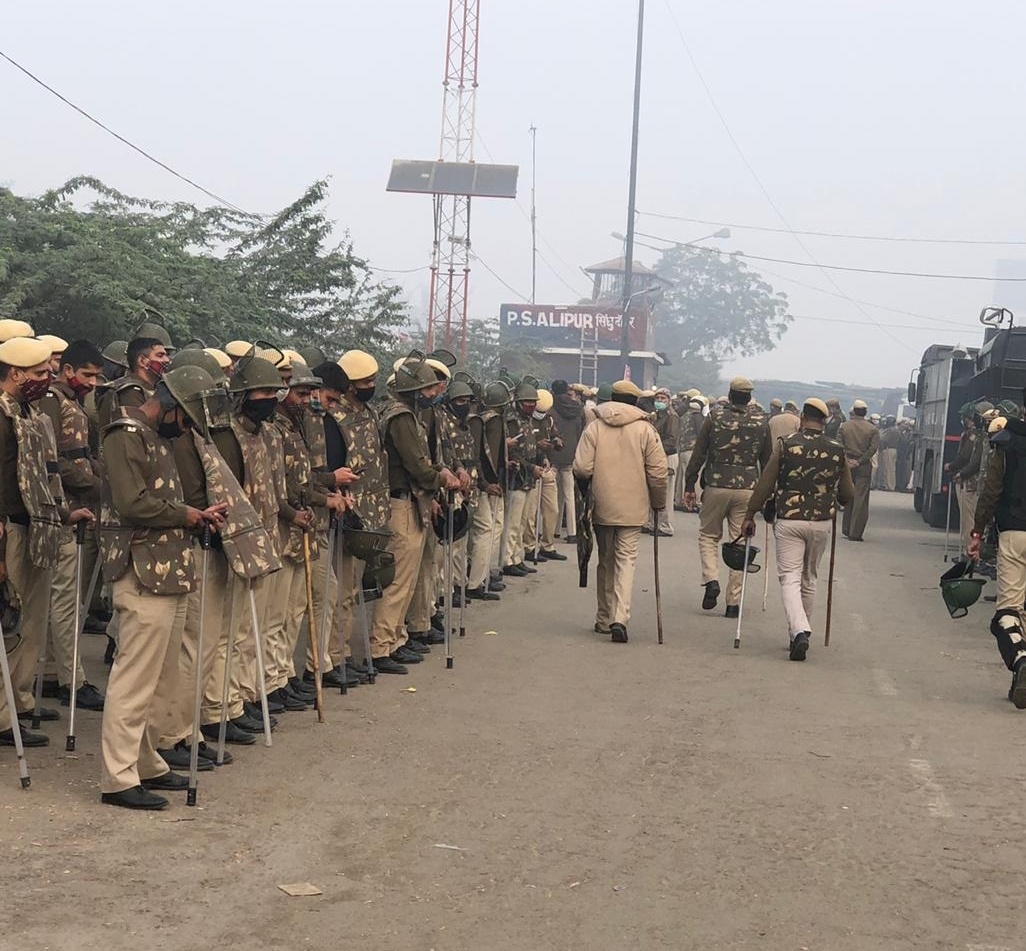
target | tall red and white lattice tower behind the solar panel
[{"x": 451, "y": 255}]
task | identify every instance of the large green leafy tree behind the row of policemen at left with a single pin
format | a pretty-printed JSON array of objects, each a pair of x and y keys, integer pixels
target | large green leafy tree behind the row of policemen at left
[{"x": 97, "y": 271}]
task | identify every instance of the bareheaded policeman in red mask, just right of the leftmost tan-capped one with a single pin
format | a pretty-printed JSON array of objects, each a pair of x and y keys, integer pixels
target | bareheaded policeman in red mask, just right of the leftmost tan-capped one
[{"x": 82, "y": 477}]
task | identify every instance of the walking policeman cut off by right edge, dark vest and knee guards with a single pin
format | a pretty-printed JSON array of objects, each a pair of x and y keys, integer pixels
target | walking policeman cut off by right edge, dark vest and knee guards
[{"x": 1004, "y": 499}]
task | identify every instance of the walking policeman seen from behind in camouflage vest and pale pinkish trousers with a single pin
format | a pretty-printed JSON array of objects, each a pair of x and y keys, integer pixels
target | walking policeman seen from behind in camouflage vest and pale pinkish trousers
[{"x": 805, "y": 482}]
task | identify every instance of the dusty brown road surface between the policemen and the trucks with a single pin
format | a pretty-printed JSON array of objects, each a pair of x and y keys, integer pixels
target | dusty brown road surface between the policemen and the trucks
[{"x": 557, "y": 791}]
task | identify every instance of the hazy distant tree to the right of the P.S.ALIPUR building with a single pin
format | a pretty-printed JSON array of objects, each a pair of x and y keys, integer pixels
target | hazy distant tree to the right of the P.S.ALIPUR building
[{"x": 717, "y": 308}]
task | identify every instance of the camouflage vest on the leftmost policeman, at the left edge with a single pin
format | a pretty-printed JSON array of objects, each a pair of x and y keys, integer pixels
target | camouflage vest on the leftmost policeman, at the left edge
[{"x": 37, "y": 480}]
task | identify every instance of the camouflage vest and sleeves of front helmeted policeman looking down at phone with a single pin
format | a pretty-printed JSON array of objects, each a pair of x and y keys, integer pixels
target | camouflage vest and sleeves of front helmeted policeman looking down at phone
[{"x": 145, "y": 530}]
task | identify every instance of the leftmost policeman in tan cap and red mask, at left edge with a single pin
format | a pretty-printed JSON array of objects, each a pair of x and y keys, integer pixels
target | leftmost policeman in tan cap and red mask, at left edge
[{"x": 33, "y": 514}]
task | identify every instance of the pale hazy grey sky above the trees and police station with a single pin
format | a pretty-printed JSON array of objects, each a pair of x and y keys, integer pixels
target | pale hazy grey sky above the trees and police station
[{"x": 895, "y": 118}]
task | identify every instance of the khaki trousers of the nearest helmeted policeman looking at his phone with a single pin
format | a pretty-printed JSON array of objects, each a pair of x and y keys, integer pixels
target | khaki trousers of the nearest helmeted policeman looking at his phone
[{"x": 143, "y": 683}]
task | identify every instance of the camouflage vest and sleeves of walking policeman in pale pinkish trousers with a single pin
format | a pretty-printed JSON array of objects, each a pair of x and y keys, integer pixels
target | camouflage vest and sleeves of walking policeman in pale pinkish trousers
[{"x": 806, "y": 478}]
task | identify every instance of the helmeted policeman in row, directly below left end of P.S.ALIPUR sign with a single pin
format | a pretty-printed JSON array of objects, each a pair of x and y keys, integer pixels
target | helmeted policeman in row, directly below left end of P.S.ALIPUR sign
[{"x": 487, "y": 530}]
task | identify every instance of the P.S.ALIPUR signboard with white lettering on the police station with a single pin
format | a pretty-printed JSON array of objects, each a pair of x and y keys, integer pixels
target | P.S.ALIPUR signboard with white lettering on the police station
[{"x": 544, "y": 326}]
